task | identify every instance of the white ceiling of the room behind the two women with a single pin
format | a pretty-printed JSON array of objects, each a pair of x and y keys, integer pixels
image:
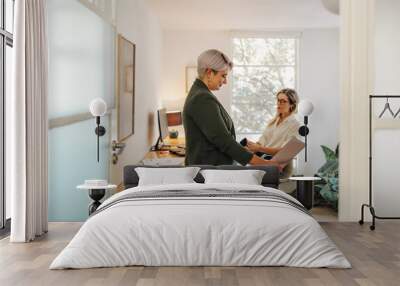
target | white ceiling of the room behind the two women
[{"x": 242, "y": 14}]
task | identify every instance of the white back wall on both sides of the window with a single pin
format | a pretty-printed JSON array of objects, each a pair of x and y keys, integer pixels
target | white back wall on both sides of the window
[{"x": 318, "y": 81}]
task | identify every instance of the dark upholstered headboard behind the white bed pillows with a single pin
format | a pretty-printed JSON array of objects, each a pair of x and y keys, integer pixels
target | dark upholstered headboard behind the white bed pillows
[{"x": 270, "y": 179}]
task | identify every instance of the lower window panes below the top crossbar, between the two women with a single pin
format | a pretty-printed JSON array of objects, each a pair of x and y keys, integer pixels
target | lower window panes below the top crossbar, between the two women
[{"x": 253, "y": 100}]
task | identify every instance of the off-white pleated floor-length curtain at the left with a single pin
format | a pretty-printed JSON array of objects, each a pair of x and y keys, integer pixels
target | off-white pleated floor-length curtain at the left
[{"x": 29, "y": 124}]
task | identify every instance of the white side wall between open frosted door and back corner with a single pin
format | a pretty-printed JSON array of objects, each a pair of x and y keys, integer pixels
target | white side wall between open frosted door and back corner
[{"x": 138, "y": 24}]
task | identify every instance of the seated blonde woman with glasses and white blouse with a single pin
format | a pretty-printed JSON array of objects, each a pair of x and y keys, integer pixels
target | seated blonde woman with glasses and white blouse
[{"x": 281, "y": 128}]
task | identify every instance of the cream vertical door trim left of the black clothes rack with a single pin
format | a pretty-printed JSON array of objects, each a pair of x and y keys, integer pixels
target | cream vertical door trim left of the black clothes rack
[{"x": 356, "y": 71}]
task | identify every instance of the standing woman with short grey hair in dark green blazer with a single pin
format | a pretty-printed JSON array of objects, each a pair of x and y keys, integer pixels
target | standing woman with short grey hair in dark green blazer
[{"x": 209, "y": 130}]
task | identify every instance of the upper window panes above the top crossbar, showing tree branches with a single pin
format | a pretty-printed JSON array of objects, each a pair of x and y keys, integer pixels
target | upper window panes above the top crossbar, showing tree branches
[{"x": 259, "y": 51}]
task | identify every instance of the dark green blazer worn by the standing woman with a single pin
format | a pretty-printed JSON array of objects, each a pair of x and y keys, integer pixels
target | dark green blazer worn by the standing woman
[{"x": 210, "y": 134}]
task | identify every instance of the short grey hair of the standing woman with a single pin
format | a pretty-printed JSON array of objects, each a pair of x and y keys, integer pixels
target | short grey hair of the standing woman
[{"x": 212, "y": 59}]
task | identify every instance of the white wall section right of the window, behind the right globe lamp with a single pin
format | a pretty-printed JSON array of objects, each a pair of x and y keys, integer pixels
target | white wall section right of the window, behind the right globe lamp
[{"x": 319, "y": 82}]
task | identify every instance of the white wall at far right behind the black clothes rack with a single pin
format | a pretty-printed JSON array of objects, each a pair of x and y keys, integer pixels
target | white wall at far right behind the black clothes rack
[{"x": 386, "y": 155}]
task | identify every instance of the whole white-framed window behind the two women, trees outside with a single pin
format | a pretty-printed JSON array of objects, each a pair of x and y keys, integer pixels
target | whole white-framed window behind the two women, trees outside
[{"x": 262, "y": 66}]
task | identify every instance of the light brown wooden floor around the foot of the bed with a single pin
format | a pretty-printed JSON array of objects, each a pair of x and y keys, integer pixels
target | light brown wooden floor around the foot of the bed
[{"x": 375, "y": 256}]
